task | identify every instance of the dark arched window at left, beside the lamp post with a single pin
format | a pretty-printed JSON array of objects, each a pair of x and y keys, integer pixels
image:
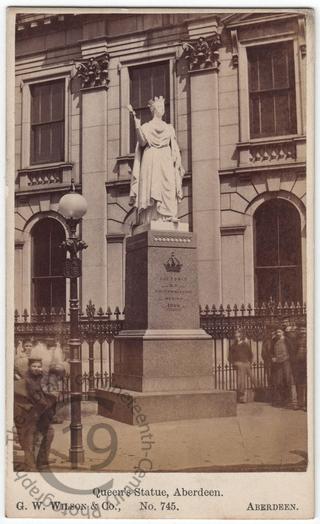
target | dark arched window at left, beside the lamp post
[{"x": 48, "y": 281}]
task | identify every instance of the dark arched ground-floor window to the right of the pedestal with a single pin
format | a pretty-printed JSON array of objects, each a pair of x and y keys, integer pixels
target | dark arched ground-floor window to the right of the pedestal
[{"x": 278, "y": 272}]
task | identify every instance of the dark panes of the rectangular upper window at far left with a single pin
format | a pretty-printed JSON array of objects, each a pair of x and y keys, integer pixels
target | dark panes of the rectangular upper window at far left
[{"x": 47, "y": 122}]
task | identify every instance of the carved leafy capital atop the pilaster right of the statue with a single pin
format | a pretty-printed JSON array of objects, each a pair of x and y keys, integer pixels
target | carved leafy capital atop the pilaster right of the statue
[{"x": 202, "y": 53}]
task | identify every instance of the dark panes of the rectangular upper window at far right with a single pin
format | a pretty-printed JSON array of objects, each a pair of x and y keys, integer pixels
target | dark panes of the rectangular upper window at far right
[{"x": 272, "y": 90}]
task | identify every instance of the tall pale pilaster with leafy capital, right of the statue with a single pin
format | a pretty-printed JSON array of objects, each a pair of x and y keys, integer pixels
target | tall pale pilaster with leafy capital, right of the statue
[{"x": 202, "y": 55}]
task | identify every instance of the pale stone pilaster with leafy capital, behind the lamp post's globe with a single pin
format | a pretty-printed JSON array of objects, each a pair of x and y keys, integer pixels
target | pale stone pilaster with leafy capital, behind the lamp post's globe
[{"x": 93, "y": 74}]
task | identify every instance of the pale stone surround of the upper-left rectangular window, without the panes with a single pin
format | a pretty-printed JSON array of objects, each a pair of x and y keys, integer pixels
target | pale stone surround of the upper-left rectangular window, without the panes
[{"x": 26, "y": 85}]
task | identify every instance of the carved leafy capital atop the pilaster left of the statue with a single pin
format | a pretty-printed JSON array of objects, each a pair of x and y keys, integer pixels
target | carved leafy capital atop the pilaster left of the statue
[{"x": 93, "y": 72}]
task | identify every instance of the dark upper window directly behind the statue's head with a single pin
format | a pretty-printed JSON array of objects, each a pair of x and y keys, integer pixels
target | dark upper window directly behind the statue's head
[{"x": 146, "y": 82}]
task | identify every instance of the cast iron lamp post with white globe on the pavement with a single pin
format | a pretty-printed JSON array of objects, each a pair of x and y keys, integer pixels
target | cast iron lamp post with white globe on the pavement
[{"x": 72, "y": 207}]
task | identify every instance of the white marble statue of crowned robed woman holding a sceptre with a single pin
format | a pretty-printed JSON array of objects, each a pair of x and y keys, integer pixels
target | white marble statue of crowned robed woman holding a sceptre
[{"x": 156, "y": 183}]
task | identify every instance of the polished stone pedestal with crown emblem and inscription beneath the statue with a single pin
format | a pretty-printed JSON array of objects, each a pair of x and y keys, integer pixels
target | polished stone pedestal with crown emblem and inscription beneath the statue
[{"x": 162, "y": 359}]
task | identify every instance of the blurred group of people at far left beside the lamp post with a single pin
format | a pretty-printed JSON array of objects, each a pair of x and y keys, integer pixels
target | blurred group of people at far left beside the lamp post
[{"x": 37, "y": 371}]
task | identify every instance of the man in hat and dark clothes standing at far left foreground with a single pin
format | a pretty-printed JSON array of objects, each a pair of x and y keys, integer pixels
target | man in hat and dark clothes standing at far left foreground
[{"x": 33, "y": 416}]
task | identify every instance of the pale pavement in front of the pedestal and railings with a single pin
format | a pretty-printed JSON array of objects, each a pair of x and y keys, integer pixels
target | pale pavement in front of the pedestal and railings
[{"x": 259, "y": 438}]
